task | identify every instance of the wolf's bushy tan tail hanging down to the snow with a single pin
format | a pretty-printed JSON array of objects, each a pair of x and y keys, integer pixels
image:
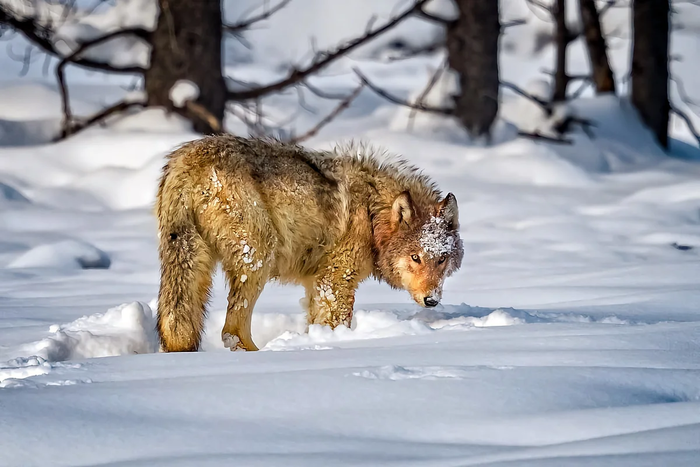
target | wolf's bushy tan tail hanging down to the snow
[{"x": 186, "y": 265}]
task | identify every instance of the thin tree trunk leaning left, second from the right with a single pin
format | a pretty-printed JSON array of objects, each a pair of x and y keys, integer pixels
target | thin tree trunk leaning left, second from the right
[{"x": 603, "y": 77}]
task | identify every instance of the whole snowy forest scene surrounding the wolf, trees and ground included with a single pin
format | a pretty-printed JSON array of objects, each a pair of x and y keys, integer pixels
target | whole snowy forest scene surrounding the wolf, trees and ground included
[{"x": 568, "y": 130}]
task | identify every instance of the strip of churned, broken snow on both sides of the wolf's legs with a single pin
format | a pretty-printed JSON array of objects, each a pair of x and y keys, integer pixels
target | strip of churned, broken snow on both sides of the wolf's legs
[{"x": 131, "y": 329}]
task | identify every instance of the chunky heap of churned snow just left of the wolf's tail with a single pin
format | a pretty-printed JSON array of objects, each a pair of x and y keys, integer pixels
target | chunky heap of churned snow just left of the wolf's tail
[{"x": 123, "y": 330}]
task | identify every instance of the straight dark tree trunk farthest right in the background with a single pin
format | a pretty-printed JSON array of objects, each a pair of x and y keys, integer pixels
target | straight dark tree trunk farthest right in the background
[{"x": 650, "y": 65}]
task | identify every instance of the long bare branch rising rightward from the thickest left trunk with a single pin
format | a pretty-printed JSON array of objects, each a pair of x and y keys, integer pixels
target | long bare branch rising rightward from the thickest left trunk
[{"x": 323, "y": 59}]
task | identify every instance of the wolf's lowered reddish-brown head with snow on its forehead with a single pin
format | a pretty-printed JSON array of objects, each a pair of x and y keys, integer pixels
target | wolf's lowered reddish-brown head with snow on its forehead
[{"x": 422, "y": 248}]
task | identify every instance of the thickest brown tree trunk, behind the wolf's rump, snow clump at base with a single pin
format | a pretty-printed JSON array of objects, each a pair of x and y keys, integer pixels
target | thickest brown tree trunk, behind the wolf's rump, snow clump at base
[{"x": 186, "y": 45}]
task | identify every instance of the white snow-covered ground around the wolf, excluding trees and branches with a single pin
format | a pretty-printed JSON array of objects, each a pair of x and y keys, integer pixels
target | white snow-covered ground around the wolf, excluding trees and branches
[{"x": 570, "y": 336}]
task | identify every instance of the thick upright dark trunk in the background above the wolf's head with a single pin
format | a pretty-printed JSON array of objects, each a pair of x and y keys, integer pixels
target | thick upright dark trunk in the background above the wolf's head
[{"x": 472, "y": 46}]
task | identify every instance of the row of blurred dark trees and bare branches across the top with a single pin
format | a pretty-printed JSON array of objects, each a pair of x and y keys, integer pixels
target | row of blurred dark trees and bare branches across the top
[{"x": 175, "y": 41}]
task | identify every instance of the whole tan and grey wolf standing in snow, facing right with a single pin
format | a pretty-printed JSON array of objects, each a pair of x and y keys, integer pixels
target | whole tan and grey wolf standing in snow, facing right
[{"x": 267, "y": 210}]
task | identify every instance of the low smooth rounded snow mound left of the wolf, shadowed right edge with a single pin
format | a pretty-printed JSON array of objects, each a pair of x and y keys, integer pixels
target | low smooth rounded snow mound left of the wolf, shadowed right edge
[{"x": 68, "y": 254}]
